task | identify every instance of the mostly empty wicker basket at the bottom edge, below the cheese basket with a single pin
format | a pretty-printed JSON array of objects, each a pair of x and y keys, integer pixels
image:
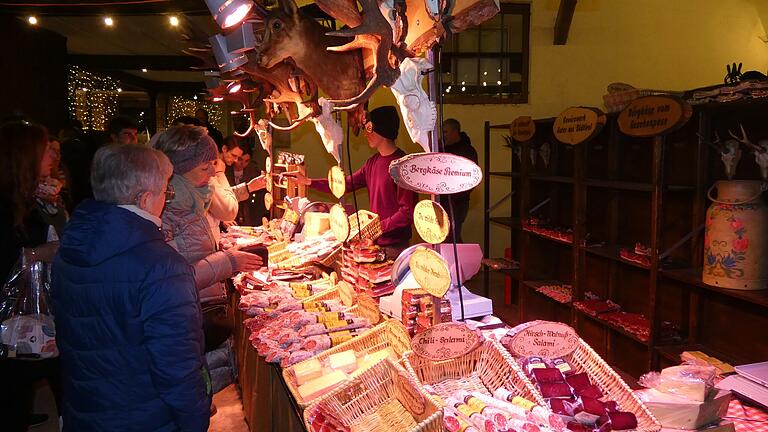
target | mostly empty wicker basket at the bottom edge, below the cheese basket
[{"x": 375, "y": 402}]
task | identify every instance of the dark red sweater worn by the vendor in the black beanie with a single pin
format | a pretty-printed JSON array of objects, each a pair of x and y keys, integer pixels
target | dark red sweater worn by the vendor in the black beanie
[{"x": 393, "y": 204}]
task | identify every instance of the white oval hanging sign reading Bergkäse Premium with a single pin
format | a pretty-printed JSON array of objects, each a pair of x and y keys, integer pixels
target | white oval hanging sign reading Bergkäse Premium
[{"x": 436, "y": 173}]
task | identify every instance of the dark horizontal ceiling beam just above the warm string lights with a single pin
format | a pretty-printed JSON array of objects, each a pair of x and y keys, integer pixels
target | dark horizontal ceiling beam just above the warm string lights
[{"x": 135, "y": 62}]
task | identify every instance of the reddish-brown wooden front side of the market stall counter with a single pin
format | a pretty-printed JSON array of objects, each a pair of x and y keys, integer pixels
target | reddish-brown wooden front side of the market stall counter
[{"x": 267, "y": 404}]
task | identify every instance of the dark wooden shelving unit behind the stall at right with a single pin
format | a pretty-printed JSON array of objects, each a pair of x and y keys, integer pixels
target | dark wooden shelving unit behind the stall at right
[{"x": 615, "y": 191}]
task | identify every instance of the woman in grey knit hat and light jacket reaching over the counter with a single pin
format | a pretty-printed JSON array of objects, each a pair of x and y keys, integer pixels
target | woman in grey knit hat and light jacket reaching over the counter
[{"x": 189, "y": 228}]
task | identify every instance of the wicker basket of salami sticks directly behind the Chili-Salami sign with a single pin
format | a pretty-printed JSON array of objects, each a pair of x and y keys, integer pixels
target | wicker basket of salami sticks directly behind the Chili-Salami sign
[{"x": 483, "y": 370}]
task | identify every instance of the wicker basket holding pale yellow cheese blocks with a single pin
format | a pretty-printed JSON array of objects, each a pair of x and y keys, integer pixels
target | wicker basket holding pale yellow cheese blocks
[{"x": 390, "y": 333}]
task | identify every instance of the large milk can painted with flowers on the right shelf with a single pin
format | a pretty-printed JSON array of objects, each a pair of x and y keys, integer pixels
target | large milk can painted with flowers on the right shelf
[{"x": 736, "y": 236}]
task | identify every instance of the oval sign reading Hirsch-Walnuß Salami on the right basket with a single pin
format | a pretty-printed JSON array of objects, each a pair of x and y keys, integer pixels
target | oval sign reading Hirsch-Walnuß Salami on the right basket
[{"x": 543, "y": 339}]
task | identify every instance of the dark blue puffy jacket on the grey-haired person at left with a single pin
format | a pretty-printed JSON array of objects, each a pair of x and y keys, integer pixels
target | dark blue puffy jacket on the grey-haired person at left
[{"x": 128, "y": 326}]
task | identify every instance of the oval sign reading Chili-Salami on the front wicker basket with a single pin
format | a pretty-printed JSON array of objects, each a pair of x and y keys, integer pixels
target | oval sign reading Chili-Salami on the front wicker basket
[{"x": 445, "y": 341}]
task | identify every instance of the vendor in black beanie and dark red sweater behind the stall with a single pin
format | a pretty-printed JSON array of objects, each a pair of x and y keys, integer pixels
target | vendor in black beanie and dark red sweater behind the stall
[{"x": 393, "y": 204}]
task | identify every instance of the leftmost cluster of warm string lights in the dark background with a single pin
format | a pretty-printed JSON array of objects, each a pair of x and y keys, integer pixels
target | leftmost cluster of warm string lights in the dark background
[{"x": 92, "y": 97}]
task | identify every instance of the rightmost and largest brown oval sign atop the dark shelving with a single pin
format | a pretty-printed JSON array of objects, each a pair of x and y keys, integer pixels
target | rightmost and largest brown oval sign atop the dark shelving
[{"x": 654, "y": 115}]
